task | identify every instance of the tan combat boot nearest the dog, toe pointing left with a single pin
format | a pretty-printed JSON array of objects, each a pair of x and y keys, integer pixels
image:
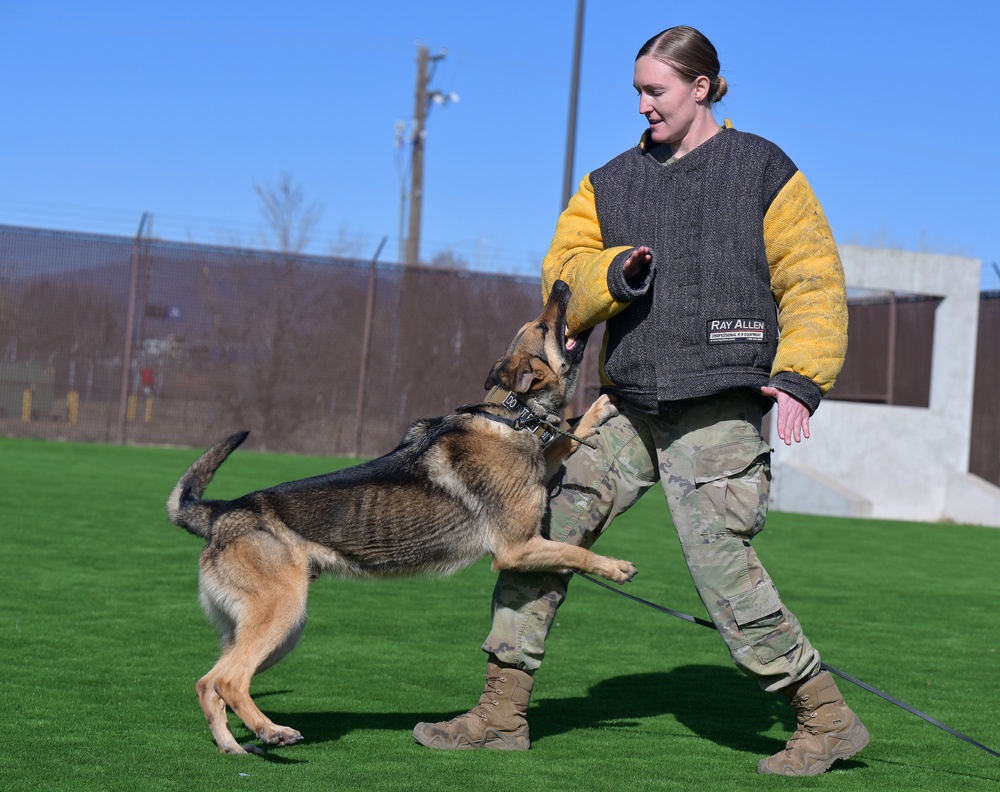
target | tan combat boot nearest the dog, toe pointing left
[{"x": 497, "y": 721}]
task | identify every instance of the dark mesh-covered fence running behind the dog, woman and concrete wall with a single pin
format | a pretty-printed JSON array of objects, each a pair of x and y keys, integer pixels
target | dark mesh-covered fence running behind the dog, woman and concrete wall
[{"x": 118, "y": 340}]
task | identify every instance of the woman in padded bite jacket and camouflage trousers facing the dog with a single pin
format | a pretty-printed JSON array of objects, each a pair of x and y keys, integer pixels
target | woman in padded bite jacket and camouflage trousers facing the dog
[{"x": 708, "y": 256}]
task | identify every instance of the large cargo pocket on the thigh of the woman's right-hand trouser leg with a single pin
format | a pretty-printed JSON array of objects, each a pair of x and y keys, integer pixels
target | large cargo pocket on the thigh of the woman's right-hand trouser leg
[{"x": 736, "y": 479}]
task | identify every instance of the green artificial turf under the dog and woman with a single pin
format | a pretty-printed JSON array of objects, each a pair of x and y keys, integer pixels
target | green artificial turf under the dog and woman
[{"x": 103, "y": 640}]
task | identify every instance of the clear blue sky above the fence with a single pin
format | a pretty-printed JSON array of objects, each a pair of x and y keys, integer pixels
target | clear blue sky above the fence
[{"x": 112, "y": 109}]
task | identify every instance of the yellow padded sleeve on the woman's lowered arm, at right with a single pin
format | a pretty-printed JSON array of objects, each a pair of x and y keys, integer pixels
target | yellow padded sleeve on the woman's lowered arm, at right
[{"x": 807, "y": 281}]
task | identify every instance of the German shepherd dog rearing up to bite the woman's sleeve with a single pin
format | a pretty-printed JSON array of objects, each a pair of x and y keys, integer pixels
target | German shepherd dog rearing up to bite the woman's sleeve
[{"x": 455, "y": 489}]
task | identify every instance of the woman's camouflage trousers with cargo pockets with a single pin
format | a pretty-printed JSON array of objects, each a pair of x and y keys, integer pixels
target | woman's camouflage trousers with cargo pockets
[{"x": 715, "y": 469}]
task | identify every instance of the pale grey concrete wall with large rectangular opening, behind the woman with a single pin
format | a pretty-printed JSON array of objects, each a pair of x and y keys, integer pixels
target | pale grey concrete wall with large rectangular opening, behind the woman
[{"x": 884, "y": 461}]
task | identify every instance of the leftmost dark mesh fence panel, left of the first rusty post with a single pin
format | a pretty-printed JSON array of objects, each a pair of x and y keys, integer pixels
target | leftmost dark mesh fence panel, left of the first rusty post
[{"x": 63, "y": 305}]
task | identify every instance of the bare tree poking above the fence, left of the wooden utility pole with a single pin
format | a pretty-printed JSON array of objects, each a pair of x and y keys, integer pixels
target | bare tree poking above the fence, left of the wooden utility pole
[{"x": 281, "y": 367}]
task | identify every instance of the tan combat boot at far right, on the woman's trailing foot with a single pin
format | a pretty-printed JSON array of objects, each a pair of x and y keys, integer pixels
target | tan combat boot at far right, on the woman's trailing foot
[{"x": 827, "y": 731}]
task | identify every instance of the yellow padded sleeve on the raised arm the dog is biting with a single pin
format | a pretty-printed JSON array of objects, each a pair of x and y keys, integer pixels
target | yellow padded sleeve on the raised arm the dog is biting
[{"x": 577, "y": 256}]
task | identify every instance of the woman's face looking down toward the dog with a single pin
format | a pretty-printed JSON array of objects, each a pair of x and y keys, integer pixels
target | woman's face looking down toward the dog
[{"x": 669, "y": 102}]
